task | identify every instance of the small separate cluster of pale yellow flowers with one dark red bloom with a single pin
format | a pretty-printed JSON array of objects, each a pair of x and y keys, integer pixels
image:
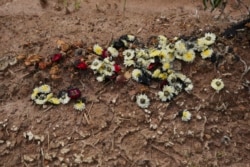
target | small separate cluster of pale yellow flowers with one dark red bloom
[{"x": 42, "y": 95}]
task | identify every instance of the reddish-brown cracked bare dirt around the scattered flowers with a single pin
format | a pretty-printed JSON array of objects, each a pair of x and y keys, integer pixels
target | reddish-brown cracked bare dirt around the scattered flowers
[{"x": 119, "y": 134}]
